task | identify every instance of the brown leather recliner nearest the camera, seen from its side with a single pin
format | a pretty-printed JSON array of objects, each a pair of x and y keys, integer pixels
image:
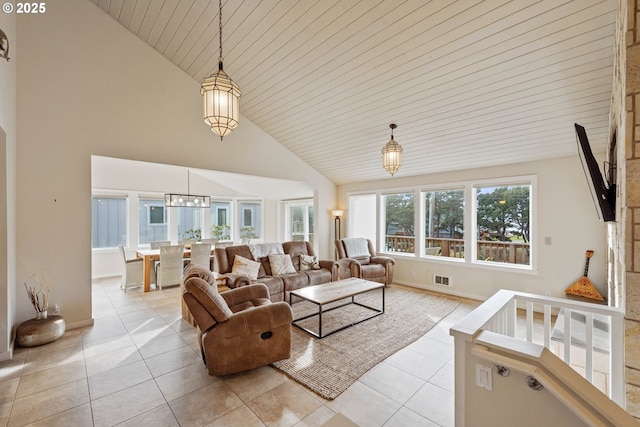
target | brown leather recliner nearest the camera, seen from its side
[{"x": 240, "y": 329}]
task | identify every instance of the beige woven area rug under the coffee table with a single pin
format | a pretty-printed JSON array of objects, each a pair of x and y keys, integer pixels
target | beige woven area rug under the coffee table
[{"x": 328, "y": 366}]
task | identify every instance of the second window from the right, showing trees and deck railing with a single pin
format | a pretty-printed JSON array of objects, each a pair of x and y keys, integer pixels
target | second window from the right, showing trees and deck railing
[{"x": 444, "y": 223}]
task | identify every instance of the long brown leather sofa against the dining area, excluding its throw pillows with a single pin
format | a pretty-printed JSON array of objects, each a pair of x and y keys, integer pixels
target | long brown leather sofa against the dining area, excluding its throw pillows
[{"x": 279, "y": 286}]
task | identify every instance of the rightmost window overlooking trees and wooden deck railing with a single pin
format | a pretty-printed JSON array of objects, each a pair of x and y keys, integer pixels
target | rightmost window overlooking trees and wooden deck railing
[{"x": 503, "y": 224}]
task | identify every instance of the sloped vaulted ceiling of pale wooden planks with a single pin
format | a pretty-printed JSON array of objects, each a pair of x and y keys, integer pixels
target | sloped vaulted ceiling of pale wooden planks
[{"x": 469, "y": 83}]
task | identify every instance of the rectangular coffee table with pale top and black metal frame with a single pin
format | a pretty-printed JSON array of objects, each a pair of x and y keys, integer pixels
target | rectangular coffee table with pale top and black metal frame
[{"x": 324, "y": 294}]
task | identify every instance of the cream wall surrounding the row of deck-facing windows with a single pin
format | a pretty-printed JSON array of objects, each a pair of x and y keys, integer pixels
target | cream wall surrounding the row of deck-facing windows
[{"x": 565, "y": 212}]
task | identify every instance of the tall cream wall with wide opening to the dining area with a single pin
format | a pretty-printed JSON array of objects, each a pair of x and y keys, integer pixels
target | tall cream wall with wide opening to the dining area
[{"x": 86, "y": 86}]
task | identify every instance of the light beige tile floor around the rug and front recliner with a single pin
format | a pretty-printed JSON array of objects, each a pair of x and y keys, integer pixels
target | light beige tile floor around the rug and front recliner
[{"x": 140, "y": 365}]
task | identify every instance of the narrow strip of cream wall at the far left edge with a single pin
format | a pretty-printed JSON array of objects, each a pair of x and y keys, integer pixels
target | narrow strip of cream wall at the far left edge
[{"x": 8, "y": 182}]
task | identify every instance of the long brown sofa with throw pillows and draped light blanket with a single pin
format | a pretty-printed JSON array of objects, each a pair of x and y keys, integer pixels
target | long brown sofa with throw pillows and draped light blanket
[{"x": 301, "y": 275}]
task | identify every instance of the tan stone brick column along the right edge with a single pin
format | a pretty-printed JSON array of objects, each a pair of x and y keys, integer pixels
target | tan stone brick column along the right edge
[{"x": 631, "y": 205}]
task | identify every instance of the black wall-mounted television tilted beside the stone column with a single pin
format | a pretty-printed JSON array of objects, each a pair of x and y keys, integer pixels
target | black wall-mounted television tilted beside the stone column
[{"x": 603, "y": 193}]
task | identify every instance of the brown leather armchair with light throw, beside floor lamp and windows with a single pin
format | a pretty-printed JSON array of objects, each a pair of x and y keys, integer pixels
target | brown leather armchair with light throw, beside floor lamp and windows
[{"x": 357, "y": 258}]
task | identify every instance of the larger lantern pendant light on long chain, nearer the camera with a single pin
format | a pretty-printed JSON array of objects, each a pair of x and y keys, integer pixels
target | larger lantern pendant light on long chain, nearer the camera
[{"x": 221, "y": 103}]
